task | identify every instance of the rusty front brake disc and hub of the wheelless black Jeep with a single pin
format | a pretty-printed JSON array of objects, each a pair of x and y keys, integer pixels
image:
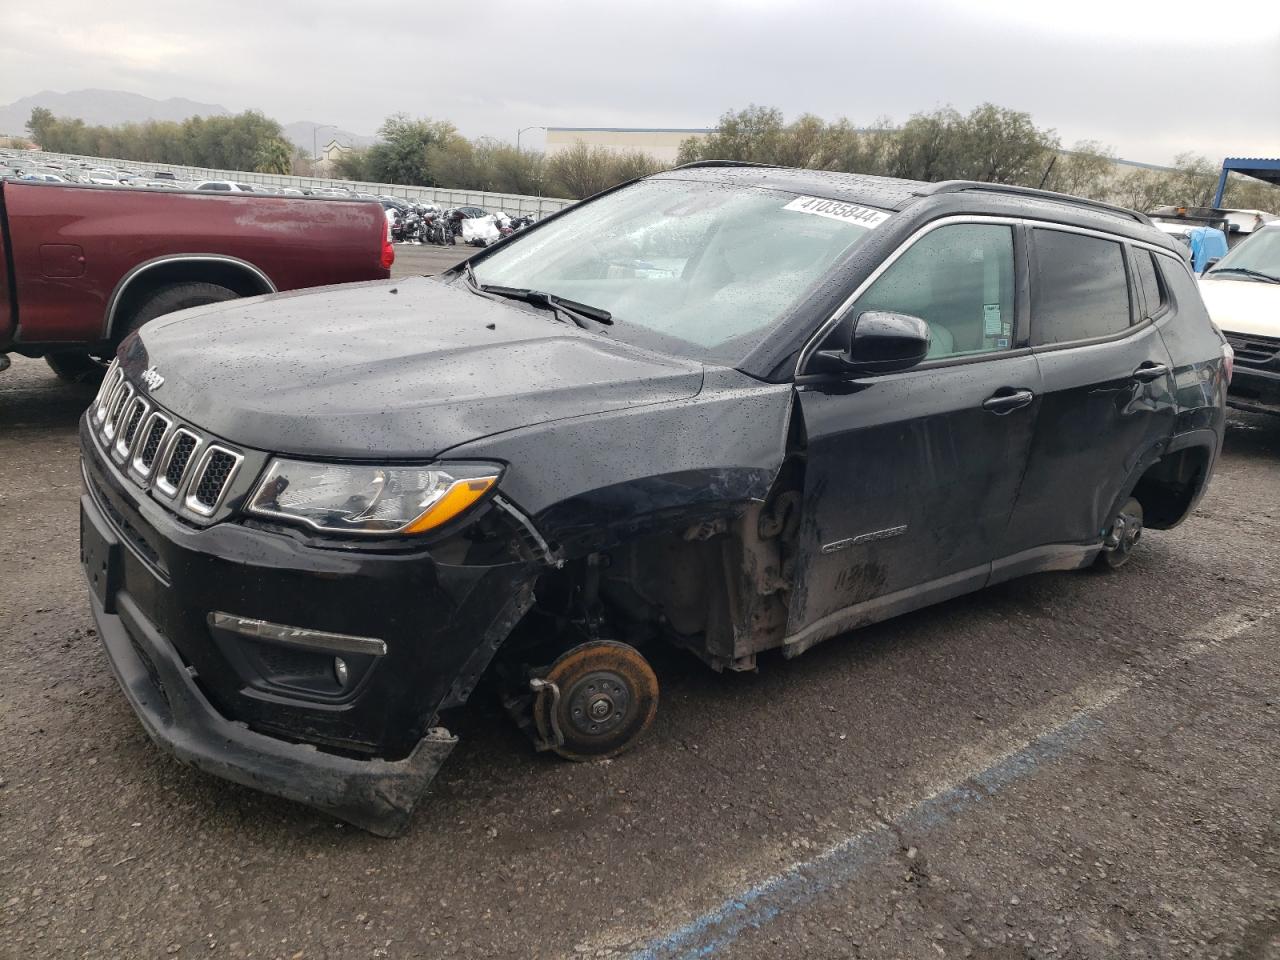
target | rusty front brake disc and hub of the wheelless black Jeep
[{"x": 596, "y": 701}]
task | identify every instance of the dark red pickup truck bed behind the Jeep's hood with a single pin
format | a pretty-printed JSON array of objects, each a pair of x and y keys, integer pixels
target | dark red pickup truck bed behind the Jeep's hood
[{"x": 81, "y": 267}]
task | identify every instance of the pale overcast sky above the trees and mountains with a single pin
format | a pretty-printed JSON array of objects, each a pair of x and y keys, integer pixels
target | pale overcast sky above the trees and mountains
[{"x": 1150, "y": 79}]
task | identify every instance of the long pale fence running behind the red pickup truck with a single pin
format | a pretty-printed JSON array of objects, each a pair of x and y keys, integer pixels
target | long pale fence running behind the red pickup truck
[{"x": 514, "y": 204}]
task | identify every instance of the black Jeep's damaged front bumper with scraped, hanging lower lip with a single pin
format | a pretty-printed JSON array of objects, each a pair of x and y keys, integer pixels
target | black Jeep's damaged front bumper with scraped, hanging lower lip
[{"x": 365, "y": 755}]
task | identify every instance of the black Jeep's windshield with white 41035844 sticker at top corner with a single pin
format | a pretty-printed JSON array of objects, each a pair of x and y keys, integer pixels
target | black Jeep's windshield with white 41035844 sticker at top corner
[{"x": 693, "y": 268}]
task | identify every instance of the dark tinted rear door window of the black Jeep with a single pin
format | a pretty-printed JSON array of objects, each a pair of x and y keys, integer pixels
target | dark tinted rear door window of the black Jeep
[{"x": 1081, "y": 289}]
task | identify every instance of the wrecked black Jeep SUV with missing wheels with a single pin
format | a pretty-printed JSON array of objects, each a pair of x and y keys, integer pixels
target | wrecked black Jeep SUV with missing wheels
[{"x": 734, "y": 408}]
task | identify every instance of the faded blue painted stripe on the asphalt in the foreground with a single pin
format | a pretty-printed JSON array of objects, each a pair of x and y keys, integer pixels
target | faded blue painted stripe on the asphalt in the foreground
[{"x": 752, "y": 909}]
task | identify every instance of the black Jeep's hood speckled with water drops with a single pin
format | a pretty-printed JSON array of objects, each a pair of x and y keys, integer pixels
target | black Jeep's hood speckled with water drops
[{"x": 388, "y": 369}]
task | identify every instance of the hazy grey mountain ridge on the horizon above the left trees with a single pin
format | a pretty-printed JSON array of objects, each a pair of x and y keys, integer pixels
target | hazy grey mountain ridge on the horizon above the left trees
[{"x": 116, "y": 107}]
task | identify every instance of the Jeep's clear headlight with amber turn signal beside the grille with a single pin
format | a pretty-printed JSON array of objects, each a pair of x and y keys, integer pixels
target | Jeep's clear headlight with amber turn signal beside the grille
[{"x": 356, "y": 499}]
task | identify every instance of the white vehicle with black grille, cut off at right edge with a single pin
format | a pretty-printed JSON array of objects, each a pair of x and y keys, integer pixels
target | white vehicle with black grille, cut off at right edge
[{"x": 1242, "y": 292}]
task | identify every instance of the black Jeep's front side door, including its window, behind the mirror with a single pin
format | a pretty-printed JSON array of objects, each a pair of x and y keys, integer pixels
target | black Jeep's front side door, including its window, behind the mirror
[{"x": 912, "y": 477}]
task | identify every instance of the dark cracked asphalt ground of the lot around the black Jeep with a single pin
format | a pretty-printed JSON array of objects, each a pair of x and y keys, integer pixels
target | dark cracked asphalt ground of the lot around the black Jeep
[{"x": 1069, "y": 766}]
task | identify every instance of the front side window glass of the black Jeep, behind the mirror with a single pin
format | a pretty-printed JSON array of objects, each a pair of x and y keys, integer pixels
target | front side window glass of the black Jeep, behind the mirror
[{"x": 961, "y": 281}]
